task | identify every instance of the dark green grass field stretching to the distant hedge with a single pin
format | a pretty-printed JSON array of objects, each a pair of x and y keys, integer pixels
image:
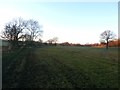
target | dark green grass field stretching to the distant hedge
[{"x": 61, "y": 67}]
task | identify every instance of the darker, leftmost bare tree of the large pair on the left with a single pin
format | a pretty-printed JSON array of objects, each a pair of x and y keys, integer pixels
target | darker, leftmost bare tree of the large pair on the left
[{"x": 13, "y": 29}]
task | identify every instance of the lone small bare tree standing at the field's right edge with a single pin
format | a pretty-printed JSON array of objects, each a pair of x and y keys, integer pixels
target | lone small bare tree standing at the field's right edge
[{"x": 106, "y": 36}]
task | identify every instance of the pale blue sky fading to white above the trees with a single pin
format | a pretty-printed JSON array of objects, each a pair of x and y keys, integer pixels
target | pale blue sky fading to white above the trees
[{"x": 70, "y": 21}]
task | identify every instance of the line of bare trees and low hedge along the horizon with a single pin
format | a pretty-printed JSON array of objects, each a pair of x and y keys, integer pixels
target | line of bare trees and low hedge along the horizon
[{"x": 29, "y": 30}]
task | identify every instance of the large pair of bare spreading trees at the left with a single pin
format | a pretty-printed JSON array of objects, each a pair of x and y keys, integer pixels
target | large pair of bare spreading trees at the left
[{"x": 21, "y": 29}]
